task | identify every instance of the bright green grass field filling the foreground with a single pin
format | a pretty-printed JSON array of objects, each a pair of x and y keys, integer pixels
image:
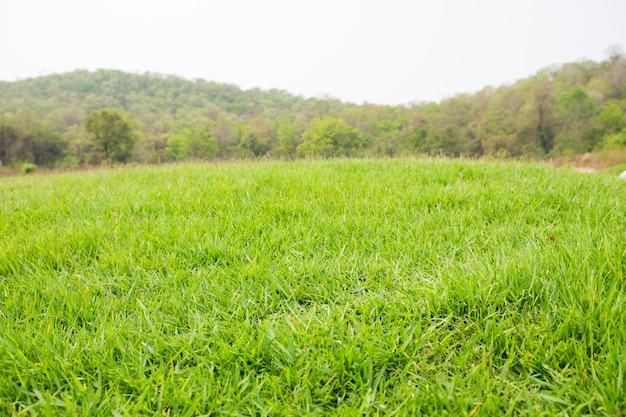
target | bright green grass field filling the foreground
[{"x": 393, "y": 287}]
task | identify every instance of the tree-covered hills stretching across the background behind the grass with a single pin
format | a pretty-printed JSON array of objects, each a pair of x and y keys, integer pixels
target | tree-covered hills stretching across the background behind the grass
[{"x": 561, "y": 110}]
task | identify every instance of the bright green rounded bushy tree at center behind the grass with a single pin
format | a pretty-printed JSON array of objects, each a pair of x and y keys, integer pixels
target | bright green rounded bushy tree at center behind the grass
[{"x": 330, "y": 137}]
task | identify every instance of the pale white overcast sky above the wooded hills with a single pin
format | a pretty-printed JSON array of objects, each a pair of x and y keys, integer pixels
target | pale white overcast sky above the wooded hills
[{"x": 389, "y": 52}]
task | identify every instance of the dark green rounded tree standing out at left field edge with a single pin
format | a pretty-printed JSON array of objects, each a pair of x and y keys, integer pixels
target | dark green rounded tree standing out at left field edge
[{"x": 112, "y": 135}]
